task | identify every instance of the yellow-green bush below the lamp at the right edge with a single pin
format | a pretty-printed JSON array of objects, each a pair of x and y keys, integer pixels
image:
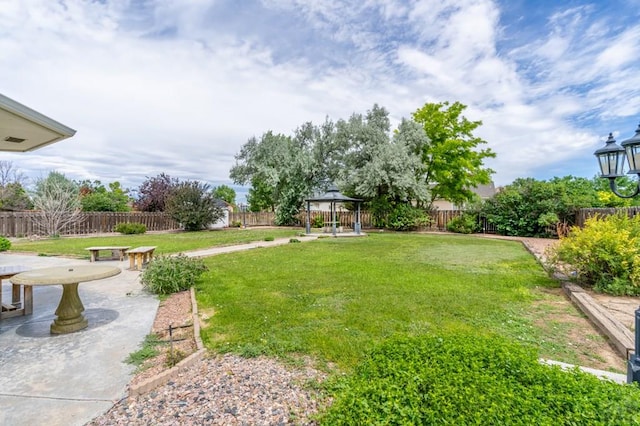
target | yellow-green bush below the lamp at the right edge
[{"x": 605, "y": 254}]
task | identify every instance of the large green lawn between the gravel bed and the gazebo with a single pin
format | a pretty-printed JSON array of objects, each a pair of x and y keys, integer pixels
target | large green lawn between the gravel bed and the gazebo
[{"x": 335, "y": 298}]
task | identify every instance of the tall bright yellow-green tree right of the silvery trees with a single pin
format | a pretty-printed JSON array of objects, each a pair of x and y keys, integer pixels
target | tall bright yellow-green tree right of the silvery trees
[{"x": 454, "y": 164}]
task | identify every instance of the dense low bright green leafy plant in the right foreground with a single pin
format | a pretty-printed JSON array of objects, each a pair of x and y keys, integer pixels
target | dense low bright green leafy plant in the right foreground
[{"x": 463, "y": 379}]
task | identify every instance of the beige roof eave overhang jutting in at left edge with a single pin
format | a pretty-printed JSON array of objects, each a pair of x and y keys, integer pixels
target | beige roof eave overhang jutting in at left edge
[{"x": 23, "y": 129}]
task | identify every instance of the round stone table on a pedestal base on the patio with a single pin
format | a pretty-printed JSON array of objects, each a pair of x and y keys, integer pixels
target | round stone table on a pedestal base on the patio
[{"x": 70, "y": 308}]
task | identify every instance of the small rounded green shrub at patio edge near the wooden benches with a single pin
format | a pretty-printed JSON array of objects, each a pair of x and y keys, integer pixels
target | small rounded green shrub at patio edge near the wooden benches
[{"x": 170, "y": 274}]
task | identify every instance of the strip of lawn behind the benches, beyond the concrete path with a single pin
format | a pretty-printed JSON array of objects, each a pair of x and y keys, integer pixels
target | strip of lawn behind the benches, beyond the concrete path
[{"x": 166, "y": 243}]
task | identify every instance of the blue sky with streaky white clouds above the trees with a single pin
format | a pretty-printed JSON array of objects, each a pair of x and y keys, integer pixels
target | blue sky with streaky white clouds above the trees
[{"x": 178, "y": 86}]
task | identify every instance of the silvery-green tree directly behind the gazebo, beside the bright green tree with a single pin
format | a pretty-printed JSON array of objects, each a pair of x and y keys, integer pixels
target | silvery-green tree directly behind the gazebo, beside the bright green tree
[{"x": 380, "y": 168}]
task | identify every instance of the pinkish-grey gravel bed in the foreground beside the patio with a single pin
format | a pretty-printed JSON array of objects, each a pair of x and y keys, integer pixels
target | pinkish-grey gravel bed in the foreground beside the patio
[{"x": 224, "y": 390}]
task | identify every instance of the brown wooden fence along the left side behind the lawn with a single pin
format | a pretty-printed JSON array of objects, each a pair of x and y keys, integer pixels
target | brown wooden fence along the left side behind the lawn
[{"x": 22, "y": 224}]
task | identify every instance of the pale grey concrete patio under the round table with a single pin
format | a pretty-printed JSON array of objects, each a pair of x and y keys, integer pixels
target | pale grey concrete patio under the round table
[{"x": 71, "y": 378}]
